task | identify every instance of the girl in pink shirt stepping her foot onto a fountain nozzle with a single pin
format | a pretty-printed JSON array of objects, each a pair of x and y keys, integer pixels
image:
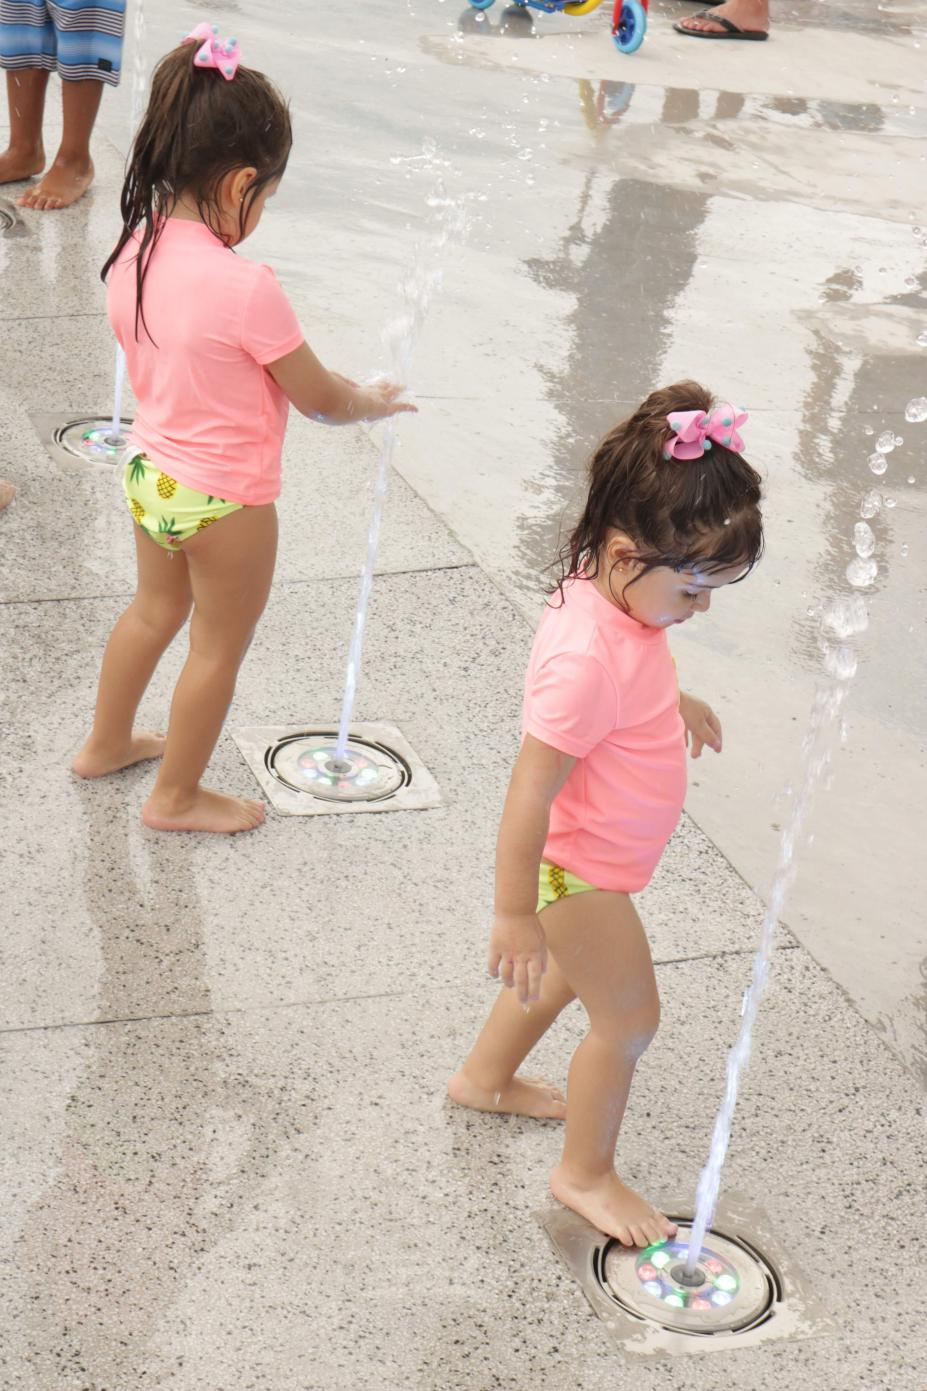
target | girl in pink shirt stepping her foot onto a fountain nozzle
[{"x": 673, "y": 514}]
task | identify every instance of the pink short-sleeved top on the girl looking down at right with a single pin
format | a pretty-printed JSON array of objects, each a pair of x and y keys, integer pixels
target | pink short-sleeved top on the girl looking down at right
[{"x": 603, "y": 688}]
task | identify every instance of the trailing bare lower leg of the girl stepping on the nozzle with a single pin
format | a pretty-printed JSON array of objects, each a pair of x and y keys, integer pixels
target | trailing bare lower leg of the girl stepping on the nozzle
[{"x": 488, "y": 1080}]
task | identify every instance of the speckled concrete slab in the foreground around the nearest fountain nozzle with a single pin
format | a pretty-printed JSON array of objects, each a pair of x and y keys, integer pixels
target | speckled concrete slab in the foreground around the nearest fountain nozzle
[{"x": 282, "y": 1200}]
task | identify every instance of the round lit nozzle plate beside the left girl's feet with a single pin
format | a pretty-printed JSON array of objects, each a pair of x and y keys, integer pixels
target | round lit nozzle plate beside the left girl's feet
[{"x": 310, "y": 763}]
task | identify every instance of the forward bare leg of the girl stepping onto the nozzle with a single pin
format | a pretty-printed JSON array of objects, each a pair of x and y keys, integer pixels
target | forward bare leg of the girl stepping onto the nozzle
[{"x": 602, "y": 949}]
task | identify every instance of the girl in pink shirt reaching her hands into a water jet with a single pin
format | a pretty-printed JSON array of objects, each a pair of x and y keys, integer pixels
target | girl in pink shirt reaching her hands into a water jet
[{"x": 215, "y": 355}]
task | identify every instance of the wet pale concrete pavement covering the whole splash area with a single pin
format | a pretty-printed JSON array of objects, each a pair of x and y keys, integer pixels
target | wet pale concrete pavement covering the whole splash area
[{"x": 226, "y": 1152}]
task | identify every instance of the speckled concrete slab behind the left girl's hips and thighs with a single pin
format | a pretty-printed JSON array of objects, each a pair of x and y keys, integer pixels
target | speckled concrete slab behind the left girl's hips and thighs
[{"x": 70, "y": 533}]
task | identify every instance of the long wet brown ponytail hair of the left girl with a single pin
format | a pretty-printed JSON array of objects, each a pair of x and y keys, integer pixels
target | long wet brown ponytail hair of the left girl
[{"x": 198, "y": 129}]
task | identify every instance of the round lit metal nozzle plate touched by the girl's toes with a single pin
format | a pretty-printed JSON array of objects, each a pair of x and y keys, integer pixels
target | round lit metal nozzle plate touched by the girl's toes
[{"x": 737, "y": 1287}]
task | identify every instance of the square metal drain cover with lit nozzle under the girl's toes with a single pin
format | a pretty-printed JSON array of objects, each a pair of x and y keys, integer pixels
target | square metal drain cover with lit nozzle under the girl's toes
[{"x": 745, "y": 1292}]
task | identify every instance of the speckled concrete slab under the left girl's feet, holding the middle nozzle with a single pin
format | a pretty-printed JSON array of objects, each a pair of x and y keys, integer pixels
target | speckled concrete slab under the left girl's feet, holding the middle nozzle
[{"x": 109, "y": 920}]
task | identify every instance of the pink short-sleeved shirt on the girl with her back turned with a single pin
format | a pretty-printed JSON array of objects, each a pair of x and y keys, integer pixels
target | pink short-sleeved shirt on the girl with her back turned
[{"x": 208, "y": 412}]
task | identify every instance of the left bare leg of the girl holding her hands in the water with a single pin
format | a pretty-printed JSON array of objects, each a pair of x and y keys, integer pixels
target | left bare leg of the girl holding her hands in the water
[{"x": 140, "y": 639}]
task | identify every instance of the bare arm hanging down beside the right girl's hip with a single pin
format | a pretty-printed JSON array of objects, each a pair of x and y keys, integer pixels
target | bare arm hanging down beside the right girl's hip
[{"x": 518, "y": 954}]
